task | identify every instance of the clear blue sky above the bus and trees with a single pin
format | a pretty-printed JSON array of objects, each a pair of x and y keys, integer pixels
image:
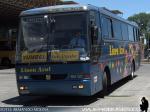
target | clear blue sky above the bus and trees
[{"x": 128, "y": 7}]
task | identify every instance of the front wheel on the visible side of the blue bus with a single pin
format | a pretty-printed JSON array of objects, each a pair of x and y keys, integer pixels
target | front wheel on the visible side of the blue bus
[{"x": 105, "y": 84}]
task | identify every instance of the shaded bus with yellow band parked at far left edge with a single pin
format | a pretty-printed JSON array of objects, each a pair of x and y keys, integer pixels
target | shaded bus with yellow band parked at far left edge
[{"x": 8, "y": 47}]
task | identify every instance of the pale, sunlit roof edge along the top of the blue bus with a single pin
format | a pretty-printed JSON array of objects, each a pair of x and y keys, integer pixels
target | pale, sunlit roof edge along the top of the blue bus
[{"x": 73, "y": 8}]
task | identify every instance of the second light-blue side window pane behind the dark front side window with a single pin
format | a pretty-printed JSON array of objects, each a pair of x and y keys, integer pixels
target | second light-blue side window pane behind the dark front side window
[{"x": 124, "y": 29}]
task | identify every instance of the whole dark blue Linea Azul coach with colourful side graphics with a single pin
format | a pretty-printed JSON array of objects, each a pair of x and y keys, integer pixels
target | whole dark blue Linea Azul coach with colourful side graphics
[{"x": 47, "y": 64}]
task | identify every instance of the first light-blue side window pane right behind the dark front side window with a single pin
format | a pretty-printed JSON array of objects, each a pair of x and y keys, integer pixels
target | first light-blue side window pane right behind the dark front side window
[{"x": 117, "y": 29}]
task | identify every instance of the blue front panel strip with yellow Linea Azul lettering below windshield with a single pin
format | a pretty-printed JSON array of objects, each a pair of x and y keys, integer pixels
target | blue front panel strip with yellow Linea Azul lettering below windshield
[{"x": 62, "y": 68}]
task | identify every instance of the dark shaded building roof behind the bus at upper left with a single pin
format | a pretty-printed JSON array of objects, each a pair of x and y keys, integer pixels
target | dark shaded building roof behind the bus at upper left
[{"x": 10, "y": 10}]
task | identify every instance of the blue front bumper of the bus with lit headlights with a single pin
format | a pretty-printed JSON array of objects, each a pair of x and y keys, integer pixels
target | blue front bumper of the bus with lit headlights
[{"x": 77, "y": 88}]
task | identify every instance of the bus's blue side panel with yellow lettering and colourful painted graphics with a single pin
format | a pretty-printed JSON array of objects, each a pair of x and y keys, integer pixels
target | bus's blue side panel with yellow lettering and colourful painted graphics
[{"x": 119, "y": 63}]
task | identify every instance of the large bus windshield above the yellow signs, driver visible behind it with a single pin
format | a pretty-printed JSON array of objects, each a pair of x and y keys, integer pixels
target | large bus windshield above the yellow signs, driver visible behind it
[{"x": 57, "y": 32}]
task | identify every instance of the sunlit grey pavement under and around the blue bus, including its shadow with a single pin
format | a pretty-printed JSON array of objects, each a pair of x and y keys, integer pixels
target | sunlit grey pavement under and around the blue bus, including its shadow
[{"x": 125, "y": 95}]
